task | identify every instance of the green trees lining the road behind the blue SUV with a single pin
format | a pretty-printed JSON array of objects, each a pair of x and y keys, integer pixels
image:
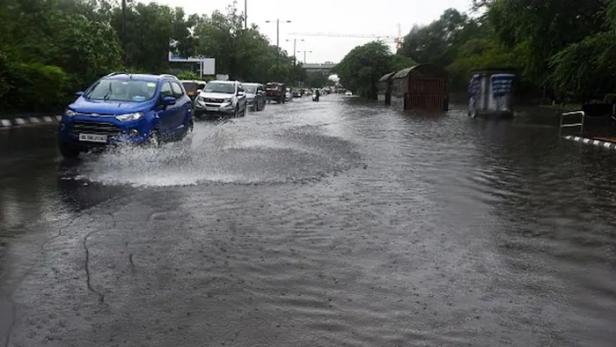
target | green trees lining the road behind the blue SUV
[{"x": 50, "y": 49}]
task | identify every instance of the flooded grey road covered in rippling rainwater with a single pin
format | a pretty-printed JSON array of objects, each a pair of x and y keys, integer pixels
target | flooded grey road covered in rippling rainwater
[{"x": 338, "y": 223}]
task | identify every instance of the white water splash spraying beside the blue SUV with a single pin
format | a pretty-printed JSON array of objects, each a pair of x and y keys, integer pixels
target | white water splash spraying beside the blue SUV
[{"x": 223, "y": 155}]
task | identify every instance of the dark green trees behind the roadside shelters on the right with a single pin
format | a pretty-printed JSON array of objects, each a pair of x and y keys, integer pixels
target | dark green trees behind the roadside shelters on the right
[{"x": 561, "y": 50}]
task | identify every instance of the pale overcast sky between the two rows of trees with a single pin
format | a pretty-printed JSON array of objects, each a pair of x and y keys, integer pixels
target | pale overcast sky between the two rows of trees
[{"x": 346, "y": 17}]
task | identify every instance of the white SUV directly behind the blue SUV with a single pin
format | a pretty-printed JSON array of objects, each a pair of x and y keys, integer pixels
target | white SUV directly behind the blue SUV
[{"x": 221, "y": 98}]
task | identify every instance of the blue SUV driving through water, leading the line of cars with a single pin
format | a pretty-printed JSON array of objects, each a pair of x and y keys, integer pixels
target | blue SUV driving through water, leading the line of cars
[{"x": 126, "y": 108}]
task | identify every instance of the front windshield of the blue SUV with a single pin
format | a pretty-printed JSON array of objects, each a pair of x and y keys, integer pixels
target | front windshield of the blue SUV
[{"x": 122, "y": 90}]
